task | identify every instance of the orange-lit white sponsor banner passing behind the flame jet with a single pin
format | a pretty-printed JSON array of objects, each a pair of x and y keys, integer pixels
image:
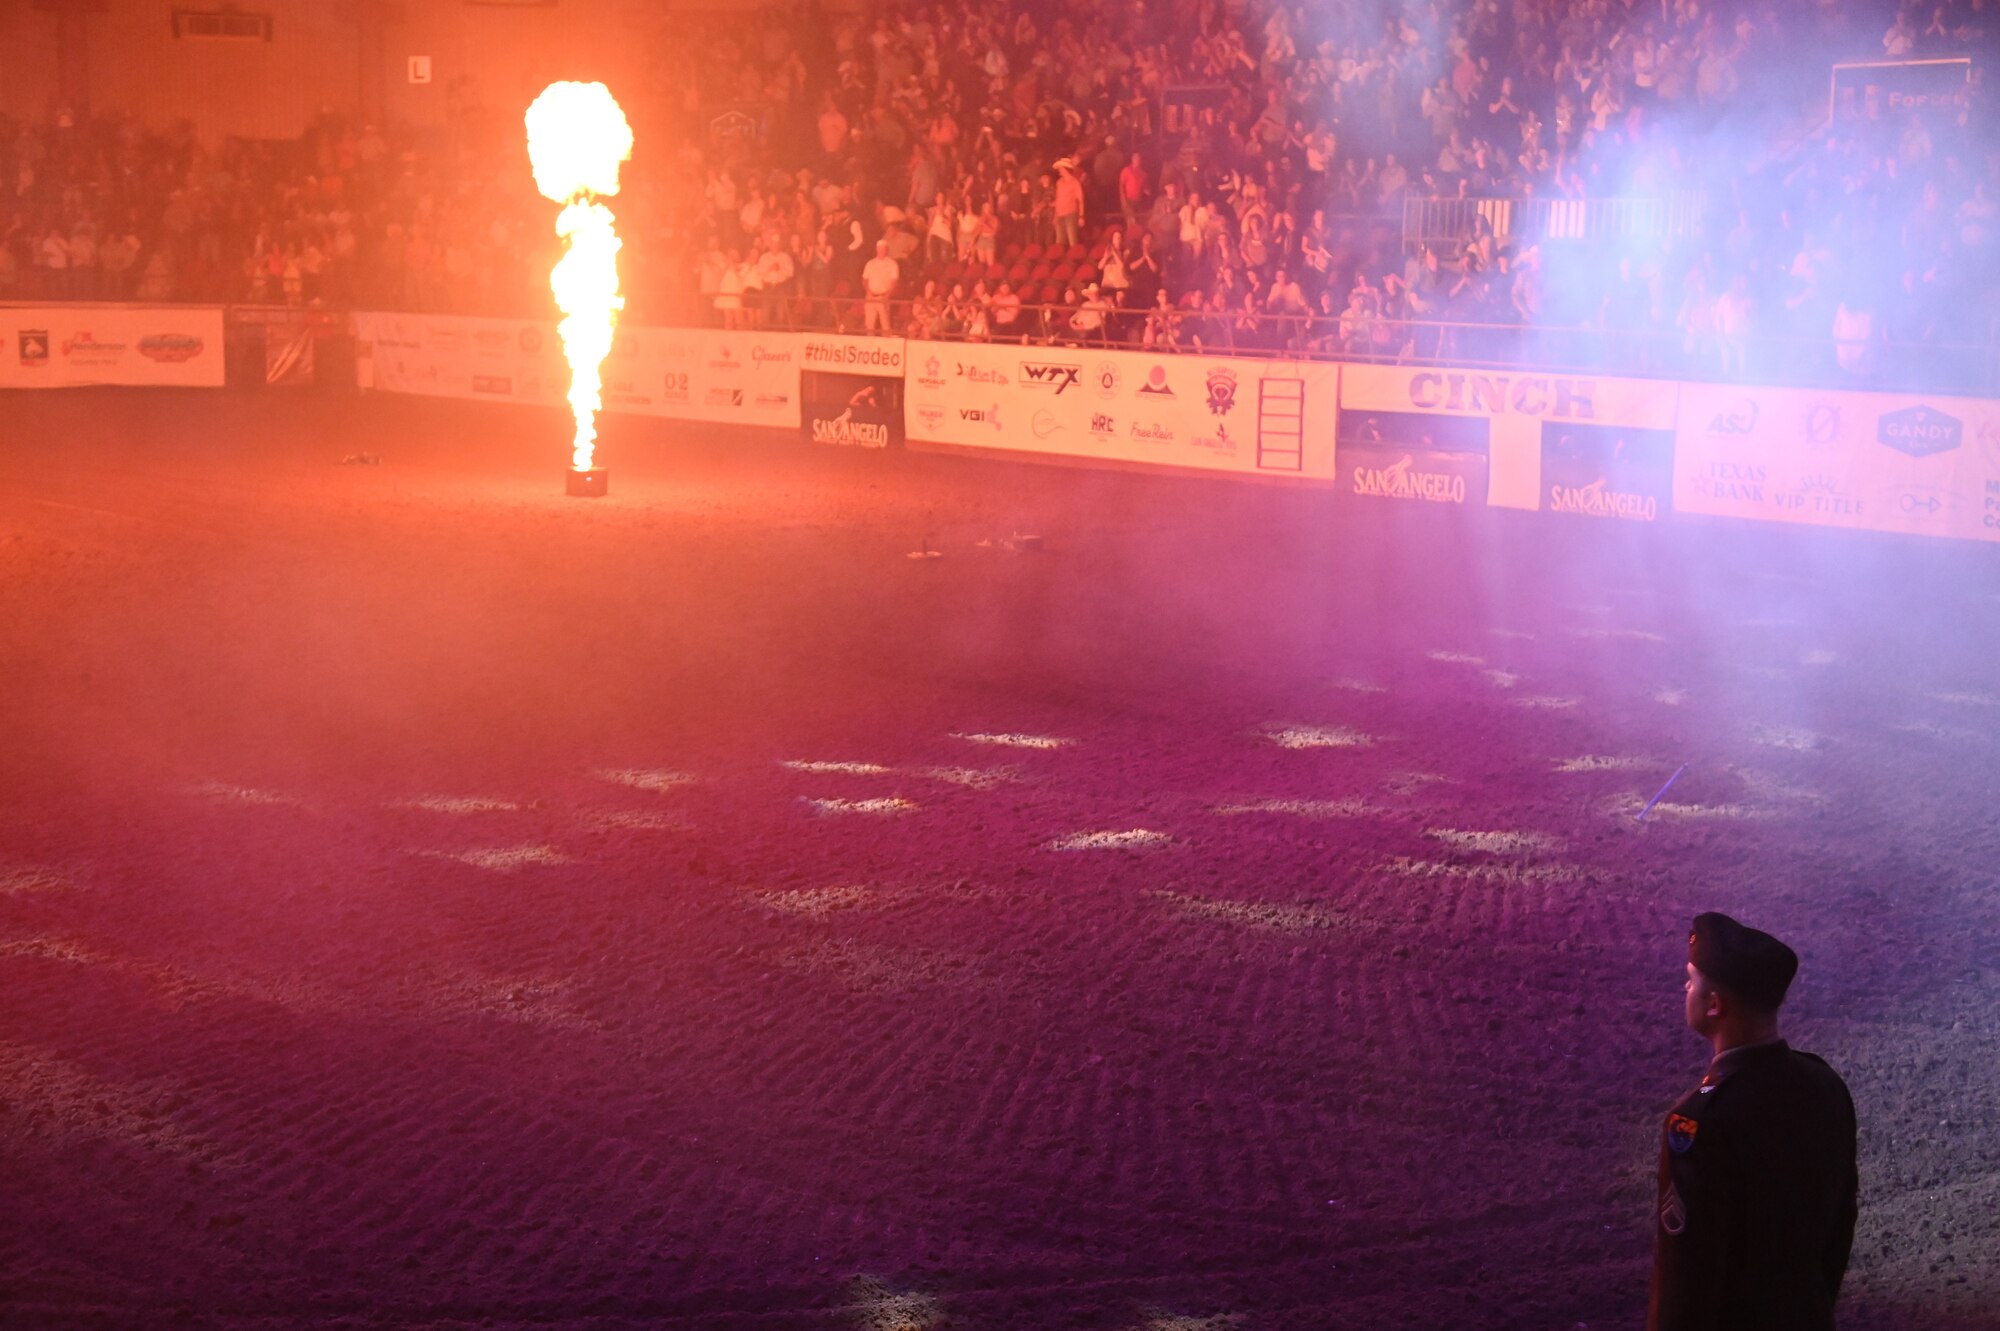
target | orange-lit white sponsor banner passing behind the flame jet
[{"x": 713, "y": 375}]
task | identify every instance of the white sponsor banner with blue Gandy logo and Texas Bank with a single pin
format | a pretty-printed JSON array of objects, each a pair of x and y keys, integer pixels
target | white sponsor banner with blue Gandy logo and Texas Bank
[{"x": 1881, "y": 463}]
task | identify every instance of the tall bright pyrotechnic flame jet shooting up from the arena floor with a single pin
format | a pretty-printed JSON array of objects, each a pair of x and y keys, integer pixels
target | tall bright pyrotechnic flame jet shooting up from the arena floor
[{"x": 577, "y": 139}]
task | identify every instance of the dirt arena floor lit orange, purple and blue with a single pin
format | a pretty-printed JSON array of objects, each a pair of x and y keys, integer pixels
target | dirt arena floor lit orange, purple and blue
[{"x": 435, "y": 902}]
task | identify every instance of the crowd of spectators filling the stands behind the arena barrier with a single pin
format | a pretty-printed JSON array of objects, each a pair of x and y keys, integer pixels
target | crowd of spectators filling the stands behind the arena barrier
[{"x": 1151, "y": 173}]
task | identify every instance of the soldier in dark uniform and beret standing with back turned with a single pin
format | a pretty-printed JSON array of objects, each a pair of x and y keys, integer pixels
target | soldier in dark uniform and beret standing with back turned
[{"x": 1757, "y": 1164}]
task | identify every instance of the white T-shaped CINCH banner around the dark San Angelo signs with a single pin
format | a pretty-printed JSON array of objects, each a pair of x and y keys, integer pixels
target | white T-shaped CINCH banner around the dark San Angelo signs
[{"x": 1515, "y": 405}]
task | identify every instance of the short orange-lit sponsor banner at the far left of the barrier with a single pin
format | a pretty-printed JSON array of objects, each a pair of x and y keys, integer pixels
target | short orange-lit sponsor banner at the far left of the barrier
[{"x": 147, "y": 347}]
